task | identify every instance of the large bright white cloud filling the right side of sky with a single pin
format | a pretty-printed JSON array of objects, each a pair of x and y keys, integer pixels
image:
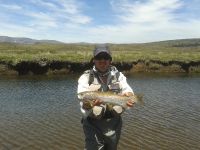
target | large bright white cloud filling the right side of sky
[{"x": 147, "y": 21}]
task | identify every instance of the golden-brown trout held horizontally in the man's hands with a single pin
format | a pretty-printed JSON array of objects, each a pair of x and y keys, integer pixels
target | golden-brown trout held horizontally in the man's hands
[{"x": 109, "y": 98}]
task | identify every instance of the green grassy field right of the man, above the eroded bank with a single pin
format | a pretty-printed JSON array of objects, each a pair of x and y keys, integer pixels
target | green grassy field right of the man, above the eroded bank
[{"x": 177, "y": 50}]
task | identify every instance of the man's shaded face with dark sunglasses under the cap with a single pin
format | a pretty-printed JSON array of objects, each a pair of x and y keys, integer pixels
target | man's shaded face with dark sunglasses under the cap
[{"x": 102, "y": 62}]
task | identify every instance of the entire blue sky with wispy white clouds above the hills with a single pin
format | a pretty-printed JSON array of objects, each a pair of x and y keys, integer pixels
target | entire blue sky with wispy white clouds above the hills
[{"x": 101, "y": 21}]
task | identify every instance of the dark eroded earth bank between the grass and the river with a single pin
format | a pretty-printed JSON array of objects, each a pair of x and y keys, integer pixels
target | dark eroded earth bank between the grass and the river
[{"x": 66, "y": 67}]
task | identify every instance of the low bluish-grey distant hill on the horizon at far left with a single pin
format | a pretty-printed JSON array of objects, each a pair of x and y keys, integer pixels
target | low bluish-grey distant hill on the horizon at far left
[{"x": 23, "y": 40}]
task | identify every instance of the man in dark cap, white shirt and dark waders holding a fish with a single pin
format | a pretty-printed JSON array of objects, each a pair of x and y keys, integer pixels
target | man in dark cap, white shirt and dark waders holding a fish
[{"x": 102, "y": 123}]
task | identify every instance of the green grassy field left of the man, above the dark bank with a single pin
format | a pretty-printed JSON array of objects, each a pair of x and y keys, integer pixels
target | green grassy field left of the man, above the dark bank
[{"x": 16, "y": 53}]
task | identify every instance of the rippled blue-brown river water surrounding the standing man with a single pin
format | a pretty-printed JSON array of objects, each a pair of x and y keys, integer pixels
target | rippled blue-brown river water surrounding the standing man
[{"x": 41, "y": 113}]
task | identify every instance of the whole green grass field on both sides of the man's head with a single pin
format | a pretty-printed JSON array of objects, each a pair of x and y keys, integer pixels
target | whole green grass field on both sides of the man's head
[{"x": 177, "y": 50}]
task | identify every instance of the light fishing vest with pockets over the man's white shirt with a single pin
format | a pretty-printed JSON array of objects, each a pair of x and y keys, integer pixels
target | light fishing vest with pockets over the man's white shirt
[{"x": 112, "y": 85}]
